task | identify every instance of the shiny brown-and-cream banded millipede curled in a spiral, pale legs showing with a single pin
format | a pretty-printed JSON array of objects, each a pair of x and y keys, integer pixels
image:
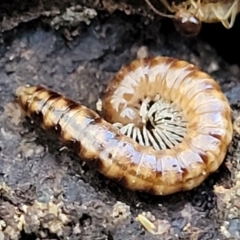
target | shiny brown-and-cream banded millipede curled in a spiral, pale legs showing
[{"x": 176, "y": 120}]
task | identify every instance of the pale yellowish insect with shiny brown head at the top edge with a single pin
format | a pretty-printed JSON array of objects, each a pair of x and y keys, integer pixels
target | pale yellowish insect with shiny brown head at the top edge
[{"x": 189, "y": 14}]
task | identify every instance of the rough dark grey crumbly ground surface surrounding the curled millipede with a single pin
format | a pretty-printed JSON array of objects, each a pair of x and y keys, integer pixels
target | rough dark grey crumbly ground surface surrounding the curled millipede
[{"x": 47, "y": 192}]
